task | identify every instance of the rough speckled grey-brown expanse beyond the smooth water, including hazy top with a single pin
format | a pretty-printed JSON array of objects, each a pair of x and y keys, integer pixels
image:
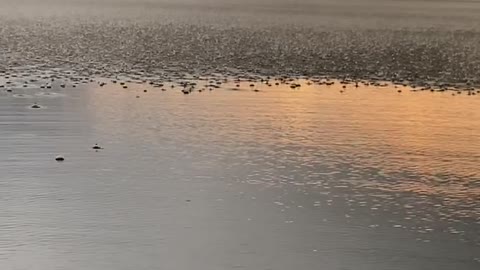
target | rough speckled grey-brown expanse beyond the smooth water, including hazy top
[{"x": 433, "y": 42}]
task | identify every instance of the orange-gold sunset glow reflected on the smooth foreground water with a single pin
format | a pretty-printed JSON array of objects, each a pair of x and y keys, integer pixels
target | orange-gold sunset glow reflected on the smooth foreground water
[{"x": 420, "y": 142}]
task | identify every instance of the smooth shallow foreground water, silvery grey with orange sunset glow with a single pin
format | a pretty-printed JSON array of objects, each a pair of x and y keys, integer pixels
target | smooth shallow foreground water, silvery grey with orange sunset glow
[{"x": 235, "y": 179}]
